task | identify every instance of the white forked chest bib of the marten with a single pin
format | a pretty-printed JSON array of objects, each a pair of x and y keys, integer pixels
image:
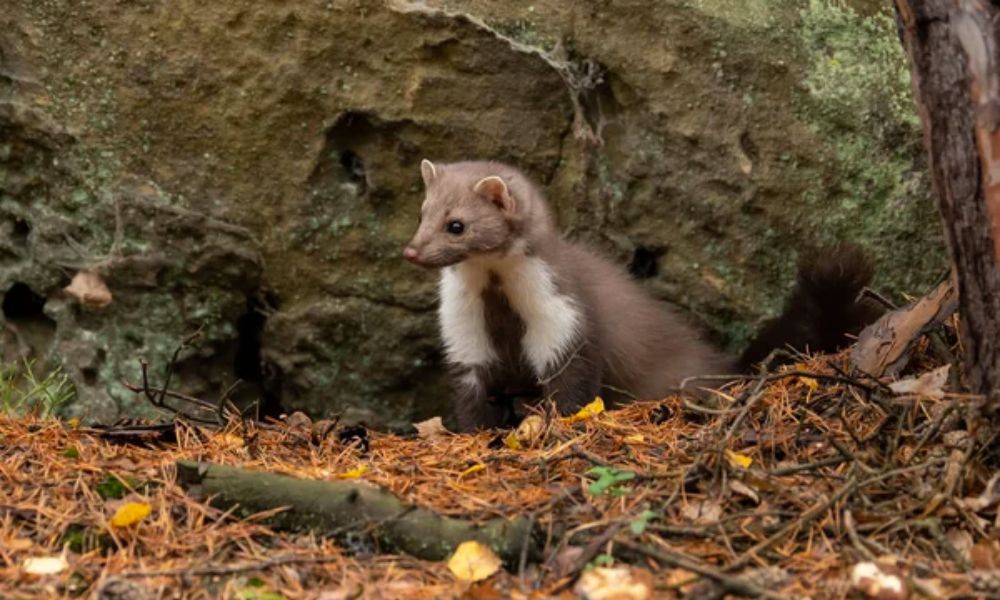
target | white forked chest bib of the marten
[{"x": 552, "y": 319}]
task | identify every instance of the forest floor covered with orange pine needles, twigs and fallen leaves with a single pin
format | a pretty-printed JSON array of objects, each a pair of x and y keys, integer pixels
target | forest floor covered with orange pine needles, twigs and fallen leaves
[{"x": 777, "y": 486}]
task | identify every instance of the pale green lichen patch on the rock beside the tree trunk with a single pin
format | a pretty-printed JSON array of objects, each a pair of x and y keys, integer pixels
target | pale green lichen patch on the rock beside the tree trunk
[{"x": 858, "y": 98}]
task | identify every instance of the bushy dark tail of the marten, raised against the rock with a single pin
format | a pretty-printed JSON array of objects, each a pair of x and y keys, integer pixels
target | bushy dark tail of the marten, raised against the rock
[{"x": 823, "y": 308}]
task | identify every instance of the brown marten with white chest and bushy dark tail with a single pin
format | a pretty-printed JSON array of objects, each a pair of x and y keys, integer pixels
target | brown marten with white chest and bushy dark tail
[{"x": 525, "y": 312}]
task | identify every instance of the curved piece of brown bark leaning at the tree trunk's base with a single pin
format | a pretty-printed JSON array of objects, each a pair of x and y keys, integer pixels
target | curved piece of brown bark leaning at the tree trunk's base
[{"x": 883, "y": 347}]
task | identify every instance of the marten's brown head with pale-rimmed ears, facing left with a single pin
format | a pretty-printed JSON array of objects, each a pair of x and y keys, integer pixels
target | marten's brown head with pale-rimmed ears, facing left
[{"x": 469, "y": 209}]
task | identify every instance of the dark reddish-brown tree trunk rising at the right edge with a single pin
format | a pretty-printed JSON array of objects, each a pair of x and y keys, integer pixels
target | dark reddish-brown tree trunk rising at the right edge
[{"x": 955, "y": 65}]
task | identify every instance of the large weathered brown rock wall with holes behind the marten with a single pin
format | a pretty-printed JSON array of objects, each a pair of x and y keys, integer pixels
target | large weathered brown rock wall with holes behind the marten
[{"x": 252, "y": 168}]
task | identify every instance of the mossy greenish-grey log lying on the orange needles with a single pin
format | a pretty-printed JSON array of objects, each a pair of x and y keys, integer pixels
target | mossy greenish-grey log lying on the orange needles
[{"x": 344, "y": 509}]
